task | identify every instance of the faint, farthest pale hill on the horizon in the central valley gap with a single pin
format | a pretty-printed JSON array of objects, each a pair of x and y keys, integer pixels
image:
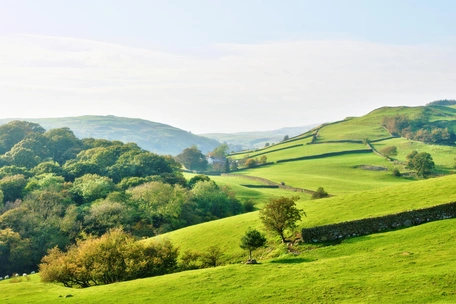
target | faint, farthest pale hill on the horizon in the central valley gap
[{"x": 250, "y": 140}]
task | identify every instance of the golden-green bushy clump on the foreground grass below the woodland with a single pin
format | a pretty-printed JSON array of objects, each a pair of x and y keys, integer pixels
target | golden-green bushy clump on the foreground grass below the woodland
[{"x": 114, "y": 257}]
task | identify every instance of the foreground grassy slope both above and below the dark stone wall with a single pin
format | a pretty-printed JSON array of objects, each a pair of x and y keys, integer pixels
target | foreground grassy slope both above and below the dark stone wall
[{"x": 413, "y": 265}]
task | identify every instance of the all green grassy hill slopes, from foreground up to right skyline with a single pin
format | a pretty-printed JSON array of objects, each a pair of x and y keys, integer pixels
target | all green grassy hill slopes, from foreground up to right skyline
[{"x": 412, "y": 265}]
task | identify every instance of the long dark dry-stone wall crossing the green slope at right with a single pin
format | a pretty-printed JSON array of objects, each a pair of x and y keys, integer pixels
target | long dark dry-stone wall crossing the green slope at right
[{"x": 378, "y": 224}]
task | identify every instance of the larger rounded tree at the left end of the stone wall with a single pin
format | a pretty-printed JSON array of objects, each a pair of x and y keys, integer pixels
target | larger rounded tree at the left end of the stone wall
[{"x": 280, "y": 214}]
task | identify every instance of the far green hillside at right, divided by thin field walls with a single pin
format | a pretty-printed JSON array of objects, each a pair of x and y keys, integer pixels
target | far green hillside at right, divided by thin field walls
[{"x": 326, "y": 153}]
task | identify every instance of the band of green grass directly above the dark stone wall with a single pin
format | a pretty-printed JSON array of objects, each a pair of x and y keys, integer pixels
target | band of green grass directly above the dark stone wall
[{"x": 227, "y": 232}]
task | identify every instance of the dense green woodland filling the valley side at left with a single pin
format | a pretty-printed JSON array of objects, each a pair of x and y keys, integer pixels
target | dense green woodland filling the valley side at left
[{"x": 56, "y": 189}]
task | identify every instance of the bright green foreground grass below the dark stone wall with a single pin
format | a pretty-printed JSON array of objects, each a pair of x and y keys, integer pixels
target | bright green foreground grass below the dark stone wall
[{"x": 414, "y": 265}]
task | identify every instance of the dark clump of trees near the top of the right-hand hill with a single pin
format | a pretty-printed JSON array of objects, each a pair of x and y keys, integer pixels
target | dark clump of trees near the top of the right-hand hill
[{"x": 418, "y": 129}]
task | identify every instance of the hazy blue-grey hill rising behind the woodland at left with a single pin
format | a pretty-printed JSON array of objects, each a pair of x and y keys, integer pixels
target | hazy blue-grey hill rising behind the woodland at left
[{"x": 152, "y": 136}]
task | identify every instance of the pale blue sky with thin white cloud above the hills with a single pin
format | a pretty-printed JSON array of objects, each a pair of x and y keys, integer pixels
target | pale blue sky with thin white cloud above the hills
[{"x": 209, "y": 66}]
